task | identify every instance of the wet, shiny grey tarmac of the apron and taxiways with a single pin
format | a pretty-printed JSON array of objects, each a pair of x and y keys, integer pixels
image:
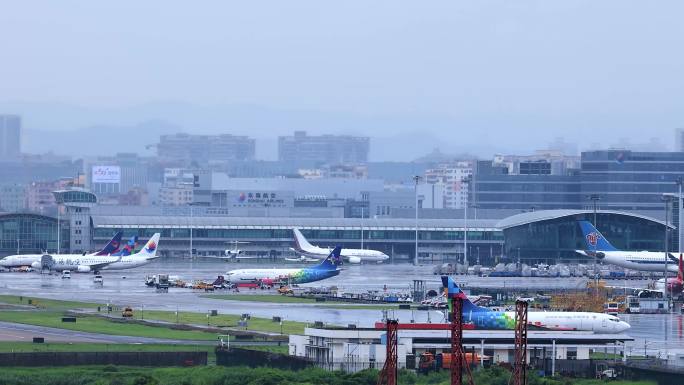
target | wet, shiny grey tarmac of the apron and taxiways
[{"x": 658, "y": 333}]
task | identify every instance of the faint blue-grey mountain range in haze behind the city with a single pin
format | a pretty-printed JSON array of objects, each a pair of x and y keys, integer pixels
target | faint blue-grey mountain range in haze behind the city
[{"x": 80, "y": 131}]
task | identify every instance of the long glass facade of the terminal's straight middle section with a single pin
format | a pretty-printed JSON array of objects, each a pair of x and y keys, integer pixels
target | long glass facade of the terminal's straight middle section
[{"x": 436, "y": 245}]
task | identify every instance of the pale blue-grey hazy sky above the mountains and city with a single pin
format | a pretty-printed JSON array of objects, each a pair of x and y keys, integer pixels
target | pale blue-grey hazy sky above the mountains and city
[{"x": 510, "y": 73}]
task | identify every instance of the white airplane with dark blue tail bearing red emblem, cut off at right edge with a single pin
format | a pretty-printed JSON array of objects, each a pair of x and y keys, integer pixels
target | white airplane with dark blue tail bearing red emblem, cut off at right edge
[{"x": 598, "y": 247}]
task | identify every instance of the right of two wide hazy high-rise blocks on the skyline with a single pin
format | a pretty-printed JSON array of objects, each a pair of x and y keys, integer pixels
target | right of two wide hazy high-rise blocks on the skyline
[{"x": 330, "y": 149}]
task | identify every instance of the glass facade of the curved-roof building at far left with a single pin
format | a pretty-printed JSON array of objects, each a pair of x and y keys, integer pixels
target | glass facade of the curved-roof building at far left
[{"x": 31, "y": 234}]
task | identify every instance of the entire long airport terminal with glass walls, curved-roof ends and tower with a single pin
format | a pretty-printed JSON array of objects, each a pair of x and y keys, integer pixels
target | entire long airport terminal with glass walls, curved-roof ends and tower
[{"x": 546, "y": 236}]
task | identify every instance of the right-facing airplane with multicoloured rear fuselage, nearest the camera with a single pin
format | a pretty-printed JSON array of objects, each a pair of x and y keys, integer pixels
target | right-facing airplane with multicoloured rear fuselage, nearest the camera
[{"x": 483, "y": 318}]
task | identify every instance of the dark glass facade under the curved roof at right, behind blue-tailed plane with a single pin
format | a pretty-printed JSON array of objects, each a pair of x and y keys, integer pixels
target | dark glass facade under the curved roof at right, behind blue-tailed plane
[{"x": 555, "y": 240}]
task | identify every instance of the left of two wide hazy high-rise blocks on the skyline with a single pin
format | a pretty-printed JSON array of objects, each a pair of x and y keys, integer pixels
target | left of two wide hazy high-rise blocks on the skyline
[{"x": 203, "y": 149}]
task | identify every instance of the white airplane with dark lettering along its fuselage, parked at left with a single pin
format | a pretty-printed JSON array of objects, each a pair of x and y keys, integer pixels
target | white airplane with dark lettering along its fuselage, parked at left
[{"x": 88, "y": 263}]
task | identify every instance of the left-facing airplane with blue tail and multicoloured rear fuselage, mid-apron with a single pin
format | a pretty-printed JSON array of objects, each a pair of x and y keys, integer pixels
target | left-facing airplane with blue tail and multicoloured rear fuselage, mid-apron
[{"x": 326, "y": 269}]
